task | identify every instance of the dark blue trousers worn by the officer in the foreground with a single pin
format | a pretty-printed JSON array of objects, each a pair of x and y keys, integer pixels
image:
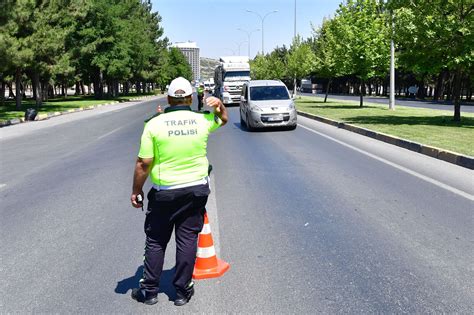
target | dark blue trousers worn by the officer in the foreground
[{"x": 179, "y": 209}]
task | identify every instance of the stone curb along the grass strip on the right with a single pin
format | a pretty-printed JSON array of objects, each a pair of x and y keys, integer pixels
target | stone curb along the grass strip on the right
[{"x": 445, "y": 155}]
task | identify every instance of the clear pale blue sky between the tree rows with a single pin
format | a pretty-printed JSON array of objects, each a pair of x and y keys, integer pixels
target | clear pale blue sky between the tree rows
[{"x": 213, "y": 24}]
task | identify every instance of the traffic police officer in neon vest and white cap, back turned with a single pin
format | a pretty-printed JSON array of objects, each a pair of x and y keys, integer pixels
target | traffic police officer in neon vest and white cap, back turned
[{"x": 173, "y": 152}]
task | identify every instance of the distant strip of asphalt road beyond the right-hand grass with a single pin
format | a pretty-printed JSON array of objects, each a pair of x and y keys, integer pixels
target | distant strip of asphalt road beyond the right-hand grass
[{"x": 401, "y": 102}]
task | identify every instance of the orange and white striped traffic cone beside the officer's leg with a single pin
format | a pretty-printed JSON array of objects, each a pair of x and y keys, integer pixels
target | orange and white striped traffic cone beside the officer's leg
[{"x": 207, "y": 264}]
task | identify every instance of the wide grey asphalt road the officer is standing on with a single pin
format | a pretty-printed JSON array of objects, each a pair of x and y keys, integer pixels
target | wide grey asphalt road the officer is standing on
[{"x": 315, "y": 220}]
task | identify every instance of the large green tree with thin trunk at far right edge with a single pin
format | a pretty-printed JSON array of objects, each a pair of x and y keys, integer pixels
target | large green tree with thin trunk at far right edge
[{"x": 435, "y": 36}]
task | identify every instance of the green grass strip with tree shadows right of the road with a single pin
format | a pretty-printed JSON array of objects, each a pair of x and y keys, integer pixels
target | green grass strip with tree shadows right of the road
[{"x": 426, "y": 126}]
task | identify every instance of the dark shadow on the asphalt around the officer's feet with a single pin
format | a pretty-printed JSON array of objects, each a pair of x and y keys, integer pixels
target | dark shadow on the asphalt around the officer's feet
[{"x": 166, "y": 283}]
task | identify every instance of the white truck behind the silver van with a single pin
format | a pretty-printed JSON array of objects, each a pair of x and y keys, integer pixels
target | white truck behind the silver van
[{"x": 229, "y": 76}]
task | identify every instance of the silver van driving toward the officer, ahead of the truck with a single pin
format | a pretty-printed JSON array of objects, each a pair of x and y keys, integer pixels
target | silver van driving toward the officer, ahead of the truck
[{"x": 266, "y": 103}]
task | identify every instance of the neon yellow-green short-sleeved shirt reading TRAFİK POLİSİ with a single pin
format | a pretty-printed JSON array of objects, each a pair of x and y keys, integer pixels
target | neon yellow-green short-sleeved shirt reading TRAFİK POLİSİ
[{"x": 177, "y": 142}]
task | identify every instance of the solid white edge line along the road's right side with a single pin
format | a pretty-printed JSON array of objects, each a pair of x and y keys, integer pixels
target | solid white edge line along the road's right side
[{"x": 402, "y": 168}]
